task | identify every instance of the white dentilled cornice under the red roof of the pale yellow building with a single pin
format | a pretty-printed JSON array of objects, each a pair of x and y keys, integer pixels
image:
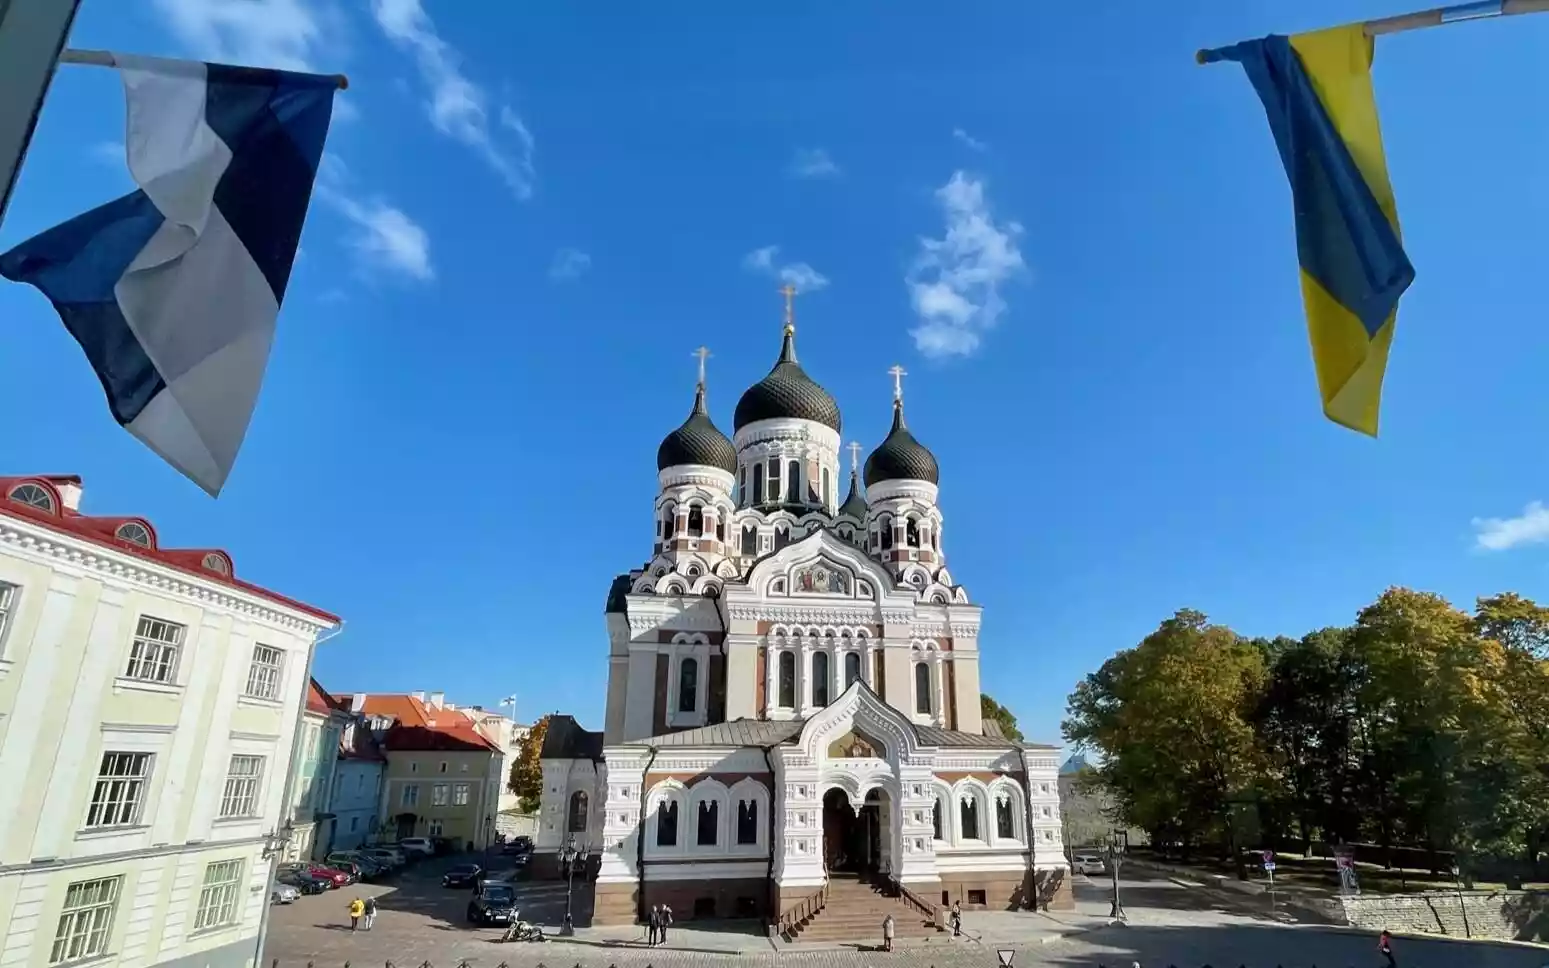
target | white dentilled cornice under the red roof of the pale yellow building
[{"x": 55, "y": 549}]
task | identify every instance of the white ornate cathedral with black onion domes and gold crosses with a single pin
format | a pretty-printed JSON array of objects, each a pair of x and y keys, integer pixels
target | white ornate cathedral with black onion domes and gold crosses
[{"x": 794, "y": 690}]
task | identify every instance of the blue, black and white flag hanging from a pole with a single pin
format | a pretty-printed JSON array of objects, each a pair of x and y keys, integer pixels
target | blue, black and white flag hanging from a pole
[{"x": 174, "y": 290}]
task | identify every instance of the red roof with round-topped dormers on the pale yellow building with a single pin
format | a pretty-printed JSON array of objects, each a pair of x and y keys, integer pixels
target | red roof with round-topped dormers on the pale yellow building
[{"x": 211, "y": 565}]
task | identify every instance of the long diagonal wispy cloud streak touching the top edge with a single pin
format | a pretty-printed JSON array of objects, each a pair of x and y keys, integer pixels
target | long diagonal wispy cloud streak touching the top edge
[{"x": 459, "y": 108}]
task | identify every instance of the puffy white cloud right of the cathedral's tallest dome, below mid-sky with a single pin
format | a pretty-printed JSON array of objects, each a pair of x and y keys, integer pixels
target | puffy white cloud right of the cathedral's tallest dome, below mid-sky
[{"x": 957, "y": 281}]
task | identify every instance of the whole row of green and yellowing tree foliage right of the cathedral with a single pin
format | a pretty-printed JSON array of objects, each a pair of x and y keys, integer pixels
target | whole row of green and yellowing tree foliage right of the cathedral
[{"x": 1417, "y": 726}]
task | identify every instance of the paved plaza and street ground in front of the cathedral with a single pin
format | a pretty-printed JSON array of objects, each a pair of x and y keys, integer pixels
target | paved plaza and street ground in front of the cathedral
[{"x": 1169, "y": 924}]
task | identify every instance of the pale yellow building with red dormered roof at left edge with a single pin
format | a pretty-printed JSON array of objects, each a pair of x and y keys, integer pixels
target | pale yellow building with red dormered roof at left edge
[{"x": 148, "y": 713}]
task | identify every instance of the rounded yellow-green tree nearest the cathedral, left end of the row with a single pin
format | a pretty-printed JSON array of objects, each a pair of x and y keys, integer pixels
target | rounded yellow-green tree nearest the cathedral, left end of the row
[{"x": 1172, "y": 718}]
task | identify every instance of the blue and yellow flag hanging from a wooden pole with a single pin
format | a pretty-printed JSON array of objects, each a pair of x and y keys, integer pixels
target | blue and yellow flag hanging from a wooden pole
[{"x": 1317, "y": 94}]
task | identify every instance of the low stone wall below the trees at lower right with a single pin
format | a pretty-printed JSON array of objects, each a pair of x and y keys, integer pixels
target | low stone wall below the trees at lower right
[{"x": 1520, "y": 916}]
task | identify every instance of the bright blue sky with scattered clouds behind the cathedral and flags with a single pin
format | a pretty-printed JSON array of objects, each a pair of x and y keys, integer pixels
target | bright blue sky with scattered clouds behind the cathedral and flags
[{"x": 534, "y": 216}]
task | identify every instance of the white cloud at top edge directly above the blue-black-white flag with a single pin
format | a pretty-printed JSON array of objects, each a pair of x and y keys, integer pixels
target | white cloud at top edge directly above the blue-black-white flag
[{"x": 281, "y": 35}]
